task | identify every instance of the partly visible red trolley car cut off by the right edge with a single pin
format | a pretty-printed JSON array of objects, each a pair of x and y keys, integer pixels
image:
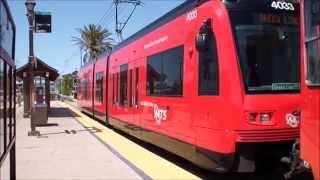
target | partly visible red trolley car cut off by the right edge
[{"x": 310, "y": 122}]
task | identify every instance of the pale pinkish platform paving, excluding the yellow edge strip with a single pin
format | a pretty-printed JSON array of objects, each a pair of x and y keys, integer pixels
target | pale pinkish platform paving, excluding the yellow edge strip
[{"x": 66, "y": 151}]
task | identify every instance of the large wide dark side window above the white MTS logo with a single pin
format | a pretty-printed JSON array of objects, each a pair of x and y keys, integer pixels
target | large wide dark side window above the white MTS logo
[{"x": 165, "y": 73}]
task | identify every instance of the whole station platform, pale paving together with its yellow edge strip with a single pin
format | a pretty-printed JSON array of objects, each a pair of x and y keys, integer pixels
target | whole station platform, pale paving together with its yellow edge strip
[{"x": 74, "y": 146}]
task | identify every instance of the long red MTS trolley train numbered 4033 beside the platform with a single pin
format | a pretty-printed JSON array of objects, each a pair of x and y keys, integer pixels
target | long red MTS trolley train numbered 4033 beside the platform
[{"x": 215, "y": 82}]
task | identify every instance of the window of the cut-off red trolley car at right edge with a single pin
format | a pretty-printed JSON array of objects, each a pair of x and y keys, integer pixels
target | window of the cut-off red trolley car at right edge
[{"x": 312, "y": 41}]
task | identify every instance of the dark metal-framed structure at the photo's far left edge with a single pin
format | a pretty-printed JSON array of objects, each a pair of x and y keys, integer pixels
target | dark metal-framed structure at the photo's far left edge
[{"x": 7, "y": 92}]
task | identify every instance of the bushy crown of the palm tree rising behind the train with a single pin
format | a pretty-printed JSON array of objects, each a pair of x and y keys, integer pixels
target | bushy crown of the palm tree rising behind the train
[{"x": 93, "y": 40}]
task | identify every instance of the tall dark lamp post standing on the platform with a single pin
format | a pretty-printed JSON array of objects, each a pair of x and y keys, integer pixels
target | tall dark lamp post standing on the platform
[{"x": 30, "y": 4}]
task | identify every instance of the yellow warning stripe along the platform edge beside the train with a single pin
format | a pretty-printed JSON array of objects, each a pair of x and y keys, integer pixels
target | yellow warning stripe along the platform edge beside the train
[{"x": 153, "y": 165}]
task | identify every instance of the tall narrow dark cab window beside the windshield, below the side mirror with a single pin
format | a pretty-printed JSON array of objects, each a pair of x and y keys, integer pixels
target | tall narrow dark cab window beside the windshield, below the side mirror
[{"x": 208, "y": 68}]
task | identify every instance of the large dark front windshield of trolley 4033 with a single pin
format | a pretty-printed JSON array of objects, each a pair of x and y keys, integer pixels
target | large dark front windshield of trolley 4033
[{"x": 267, "y": 42}]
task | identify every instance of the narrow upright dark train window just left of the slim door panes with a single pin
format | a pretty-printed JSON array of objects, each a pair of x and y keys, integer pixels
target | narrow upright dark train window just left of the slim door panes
[{"x": 123, "y": 84}]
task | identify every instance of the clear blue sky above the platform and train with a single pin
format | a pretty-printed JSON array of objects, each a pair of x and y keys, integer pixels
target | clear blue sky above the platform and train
[{"x": 56, "y": 48}]
